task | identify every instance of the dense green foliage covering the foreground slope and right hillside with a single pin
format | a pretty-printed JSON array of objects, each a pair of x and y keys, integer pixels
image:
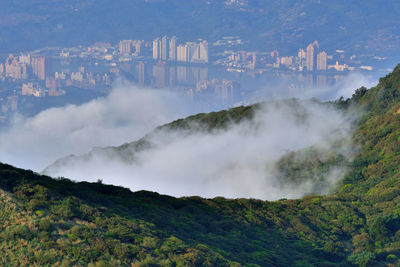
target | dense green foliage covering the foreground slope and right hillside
[{"x": 48, "y": 221}]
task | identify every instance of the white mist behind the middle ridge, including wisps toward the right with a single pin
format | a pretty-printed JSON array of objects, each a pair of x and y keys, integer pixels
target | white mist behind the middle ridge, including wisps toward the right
[{"x": 126, "y": 114}]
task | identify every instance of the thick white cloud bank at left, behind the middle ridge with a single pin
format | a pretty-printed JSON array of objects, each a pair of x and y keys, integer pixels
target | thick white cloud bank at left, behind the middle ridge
[{"x": 126, "y": 114}]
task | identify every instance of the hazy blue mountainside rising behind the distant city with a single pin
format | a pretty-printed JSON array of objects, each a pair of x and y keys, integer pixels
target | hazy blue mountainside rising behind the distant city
[{"x": 370, "y": 27}]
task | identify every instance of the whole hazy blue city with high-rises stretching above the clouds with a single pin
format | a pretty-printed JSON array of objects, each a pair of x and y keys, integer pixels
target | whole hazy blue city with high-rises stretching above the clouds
[{"x": 204, "y": 73}]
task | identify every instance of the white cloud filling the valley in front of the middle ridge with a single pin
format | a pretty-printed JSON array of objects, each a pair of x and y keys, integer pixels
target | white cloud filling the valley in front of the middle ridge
[{"x": 240, "y": 161}]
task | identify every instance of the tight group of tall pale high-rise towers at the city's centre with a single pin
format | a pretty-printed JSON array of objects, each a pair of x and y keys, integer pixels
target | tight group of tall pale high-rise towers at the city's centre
[{"x": 167, "y": 49}]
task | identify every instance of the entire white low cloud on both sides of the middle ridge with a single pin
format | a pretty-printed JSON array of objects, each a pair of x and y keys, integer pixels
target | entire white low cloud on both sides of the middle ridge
[{"x": 244, "y": 160}]
